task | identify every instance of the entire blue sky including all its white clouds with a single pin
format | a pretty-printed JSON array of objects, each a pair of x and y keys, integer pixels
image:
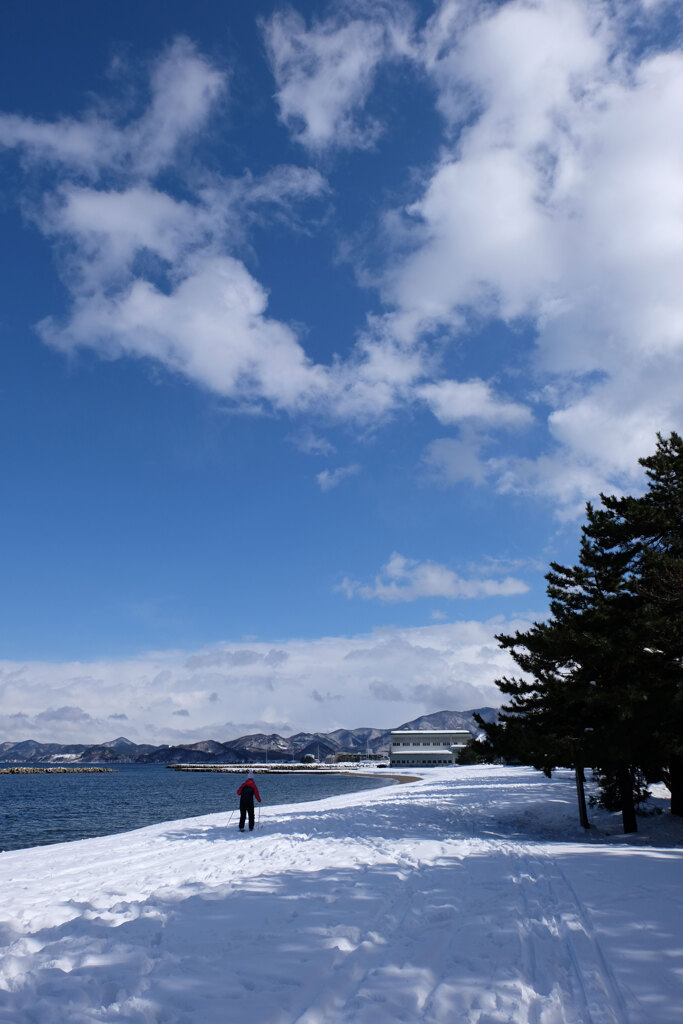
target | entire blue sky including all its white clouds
[{"x": 320, "y": 324}]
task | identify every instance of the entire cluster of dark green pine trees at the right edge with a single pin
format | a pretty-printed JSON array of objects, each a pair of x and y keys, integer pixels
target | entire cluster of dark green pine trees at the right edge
[{"x": 604, "y": 684}]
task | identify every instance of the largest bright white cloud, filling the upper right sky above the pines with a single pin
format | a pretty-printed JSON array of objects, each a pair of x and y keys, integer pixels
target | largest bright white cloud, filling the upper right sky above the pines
[{"x": 560, "y": 201}]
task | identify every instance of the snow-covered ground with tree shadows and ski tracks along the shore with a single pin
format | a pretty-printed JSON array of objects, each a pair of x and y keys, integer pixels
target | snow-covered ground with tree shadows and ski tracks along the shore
[{"x": 469, "y": 898}]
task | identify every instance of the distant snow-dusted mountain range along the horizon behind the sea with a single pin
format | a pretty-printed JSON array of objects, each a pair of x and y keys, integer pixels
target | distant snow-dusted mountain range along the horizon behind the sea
[{"x": 258, "y": 747}]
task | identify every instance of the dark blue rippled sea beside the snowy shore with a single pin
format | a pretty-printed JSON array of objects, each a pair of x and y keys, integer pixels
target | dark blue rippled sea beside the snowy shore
[{"x": 56, "y": 808}]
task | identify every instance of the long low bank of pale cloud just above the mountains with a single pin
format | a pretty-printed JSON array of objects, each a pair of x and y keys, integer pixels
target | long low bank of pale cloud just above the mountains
[{"x": 377, "y": 679}]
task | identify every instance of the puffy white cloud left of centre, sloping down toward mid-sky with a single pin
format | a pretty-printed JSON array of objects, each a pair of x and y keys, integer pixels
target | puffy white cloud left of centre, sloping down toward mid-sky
[{"x": 200, "y": 313}]
